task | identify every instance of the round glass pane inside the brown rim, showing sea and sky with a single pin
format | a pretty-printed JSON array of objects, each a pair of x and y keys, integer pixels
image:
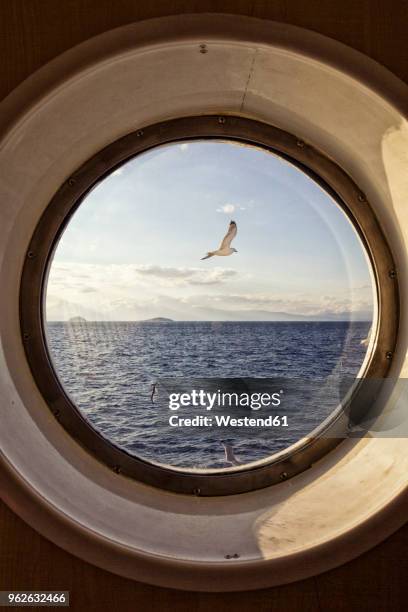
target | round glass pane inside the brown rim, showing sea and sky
[{"x": 202, "y": 268}]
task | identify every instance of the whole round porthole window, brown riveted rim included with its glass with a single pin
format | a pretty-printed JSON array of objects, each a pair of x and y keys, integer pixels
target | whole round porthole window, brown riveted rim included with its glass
[{"x": 115, "y": 321}]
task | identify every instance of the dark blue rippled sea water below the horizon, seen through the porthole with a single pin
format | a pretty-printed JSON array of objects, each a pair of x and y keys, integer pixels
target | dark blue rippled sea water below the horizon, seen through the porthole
[{"x": 108, "y": 368}]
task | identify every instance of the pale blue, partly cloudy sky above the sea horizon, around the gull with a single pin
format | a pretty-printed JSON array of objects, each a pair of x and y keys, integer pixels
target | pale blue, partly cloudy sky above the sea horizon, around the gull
[{"x": 133, "y": 248}]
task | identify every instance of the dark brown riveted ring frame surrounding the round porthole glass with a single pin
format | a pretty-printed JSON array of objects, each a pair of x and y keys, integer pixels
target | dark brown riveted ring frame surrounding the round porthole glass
[{"x": 55, "y": 218}]
